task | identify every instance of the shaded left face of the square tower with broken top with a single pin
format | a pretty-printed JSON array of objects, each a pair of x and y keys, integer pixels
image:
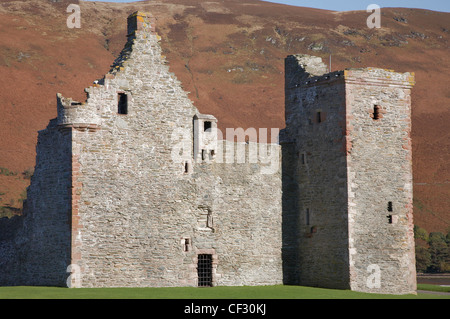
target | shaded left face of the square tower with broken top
[{"x": 315, "y": 117}]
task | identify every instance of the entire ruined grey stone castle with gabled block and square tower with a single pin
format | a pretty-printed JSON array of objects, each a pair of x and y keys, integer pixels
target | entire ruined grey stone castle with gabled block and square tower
[{"x": 132, "y": 188}]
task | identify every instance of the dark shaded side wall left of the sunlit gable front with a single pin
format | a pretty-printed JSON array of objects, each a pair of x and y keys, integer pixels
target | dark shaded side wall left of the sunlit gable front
[{"x": 38, "y": 242}]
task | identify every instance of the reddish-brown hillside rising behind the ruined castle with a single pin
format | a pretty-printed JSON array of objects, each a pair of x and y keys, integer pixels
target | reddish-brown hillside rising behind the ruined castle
[{"x": 230, "y": 56}]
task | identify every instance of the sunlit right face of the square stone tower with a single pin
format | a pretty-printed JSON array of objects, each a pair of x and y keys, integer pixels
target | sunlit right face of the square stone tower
[{"x": 380, "y": 179}]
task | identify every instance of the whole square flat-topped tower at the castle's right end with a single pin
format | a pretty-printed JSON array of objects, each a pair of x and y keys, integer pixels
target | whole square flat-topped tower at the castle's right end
[{"x": 347, "y": 178}]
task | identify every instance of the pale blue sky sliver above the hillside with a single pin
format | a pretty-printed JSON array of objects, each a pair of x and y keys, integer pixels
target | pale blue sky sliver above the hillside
[{"x": 436, "y": 5}]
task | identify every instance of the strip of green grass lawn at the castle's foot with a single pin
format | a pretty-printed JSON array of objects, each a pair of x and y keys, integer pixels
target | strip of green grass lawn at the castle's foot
[{"x": 264, "y": 292}]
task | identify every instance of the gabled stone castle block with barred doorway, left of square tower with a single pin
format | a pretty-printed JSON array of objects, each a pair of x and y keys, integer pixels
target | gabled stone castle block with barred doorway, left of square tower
[{"x": 120, "y": 199}]
